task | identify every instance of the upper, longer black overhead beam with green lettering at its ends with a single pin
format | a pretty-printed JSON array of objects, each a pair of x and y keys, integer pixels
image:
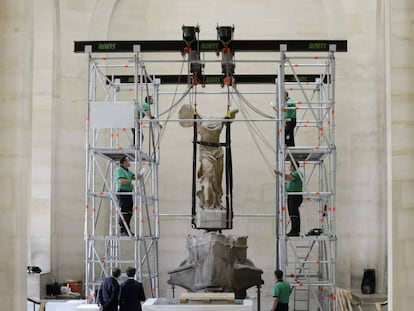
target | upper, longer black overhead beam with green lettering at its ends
[{"x": 210, "y": 46}]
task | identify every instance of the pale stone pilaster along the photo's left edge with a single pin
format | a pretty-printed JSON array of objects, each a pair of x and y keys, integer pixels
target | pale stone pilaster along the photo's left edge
[{"x": 15, "y": 149}]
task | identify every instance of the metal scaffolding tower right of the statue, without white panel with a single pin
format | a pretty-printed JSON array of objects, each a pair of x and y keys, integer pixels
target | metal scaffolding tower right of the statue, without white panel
[{"x": 308, "y": 260}]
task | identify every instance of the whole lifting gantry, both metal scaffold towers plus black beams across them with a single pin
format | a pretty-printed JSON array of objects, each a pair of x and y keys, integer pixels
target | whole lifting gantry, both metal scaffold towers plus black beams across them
[{"x": 116, "y": 87}]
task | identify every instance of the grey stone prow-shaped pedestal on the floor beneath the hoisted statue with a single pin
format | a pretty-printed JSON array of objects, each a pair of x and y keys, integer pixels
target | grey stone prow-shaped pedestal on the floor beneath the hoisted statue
[{"x": 216, "y": 263}]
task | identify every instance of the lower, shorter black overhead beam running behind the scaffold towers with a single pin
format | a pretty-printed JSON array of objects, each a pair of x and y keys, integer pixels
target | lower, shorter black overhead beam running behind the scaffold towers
[{"x": 218, "y": 79}]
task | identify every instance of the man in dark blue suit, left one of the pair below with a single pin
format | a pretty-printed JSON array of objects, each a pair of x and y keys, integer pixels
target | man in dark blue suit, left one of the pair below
[{"x": 109, "y": 292}]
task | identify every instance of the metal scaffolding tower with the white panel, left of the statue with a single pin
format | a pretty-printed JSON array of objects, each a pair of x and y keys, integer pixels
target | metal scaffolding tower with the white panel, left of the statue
[{"x": 113, "y": 110}]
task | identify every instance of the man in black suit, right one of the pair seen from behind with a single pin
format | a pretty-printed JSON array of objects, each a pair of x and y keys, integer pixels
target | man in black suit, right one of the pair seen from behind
[{"x": 132, "y": 293}]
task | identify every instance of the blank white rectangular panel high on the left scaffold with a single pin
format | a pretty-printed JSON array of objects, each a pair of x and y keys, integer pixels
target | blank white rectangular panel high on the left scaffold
[{"x": 111, "y": 115}]
